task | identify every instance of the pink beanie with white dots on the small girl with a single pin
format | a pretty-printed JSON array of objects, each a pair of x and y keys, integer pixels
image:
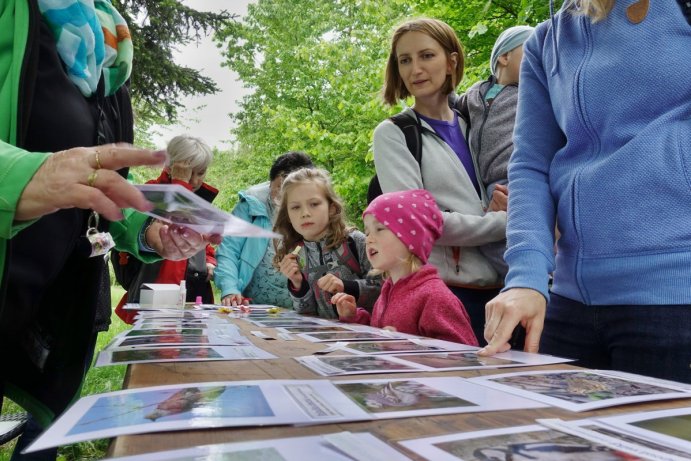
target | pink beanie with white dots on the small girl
[{"x": 413, "y": 216}]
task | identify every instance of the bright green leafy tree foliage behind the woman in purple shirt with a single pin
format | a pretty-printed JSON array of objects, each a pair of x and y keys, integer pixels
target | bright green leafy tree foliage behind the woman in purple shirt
[{"x": 315, "y": 69}]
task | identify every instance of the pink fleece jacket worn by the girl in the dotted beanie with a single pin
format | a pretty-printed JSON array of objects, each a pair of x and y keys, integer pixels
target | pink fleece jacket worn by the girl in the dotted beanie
[{"x": 420, "y": 304}]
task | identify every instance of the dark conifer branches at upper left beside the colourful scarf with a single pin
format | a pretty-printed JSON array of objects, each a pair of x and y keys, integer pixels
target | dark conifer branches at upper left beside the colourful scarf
[{"x": 158, "y": 83}]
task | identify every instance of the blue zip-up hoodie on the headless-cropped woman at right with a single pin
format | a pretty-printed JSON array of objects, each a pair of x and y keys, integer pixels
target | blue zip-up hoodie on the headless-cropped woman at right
[{"x": 603, "y": 145}]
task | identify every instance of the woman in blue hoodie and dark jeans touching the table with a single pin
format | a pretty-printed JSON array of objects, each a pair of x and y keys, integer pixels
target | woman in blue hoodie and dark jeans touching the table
[{"x": 603, "y": 149}]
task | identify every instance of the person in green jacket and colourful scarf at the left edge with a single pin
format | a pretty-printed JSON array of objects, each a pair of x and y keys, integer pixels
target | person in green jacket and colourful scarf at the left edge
[{"x": 52, "y": 190}]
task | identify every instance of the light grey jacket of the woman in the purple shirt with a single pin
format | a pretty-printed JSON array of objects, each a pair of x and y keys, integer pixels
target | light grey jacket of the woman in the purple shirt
[{"x": 466, "y": 224}]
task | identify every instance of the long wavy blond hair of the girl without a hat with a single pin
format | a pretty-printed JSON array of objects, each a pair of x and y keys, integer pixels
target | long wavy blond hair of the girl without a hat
[{"x": 337, "y": 228}]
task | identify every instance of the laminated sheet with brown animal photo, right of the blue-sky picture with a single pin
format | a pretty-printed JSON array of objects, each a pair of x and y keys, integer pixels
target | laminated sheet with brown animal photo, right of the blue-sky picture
[{"x": 412, "y": 397}]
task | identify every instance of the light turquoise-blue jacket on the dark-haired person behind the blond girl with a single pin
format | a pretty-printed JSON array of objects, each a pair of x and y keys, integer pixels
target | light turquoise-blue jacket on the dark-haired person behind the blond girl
[{"x": 238, "y": 257}]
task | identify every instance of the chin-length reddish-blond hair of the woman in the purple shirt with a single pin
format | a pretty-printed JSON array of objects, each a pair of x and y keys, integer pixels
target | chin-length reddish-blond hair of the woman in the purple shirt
[{"x": 394, "y": 88}]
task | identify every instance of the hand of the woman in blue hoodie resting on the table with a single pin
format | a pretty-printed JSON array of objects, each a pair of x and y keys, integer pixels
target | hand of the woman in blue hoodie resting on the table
[{"x": 508, "y": 309}]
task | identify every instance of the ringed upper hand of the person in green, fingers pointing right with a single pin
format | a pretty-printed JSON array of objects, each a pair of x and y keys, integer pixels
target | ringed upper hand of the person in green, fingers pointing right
[{"x": 86, "y": 178}]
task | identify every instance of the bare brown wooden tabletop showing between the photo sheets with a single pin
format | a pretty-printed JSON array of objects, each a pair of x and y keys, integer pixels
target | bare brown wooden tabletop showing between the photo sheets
[{"x": 392, "y": 430}]
